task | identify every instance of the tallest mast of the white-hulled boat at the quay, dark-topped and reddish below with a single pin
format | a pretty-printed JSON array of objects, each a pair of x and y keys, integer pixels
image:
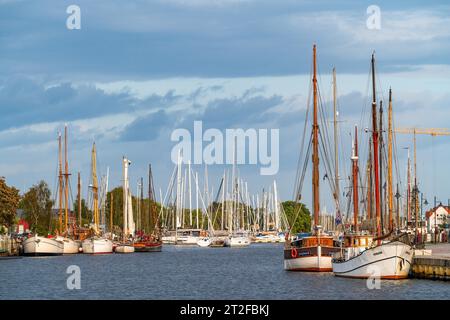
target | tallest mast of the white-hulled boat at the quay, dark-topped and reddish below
[{"x": 375, "y": 150}]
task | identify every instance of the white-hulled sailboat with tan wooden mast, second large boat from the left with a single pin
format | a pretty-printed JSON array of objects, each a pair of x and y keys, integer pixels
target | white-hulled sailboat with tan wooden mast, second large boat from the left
[{"x": 97, "y": 244}]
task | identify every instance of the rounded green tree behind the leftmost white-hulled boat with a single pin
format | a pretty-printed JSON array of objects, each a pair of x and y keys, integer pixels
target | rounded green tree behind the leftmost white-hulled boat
[{"x": 37, "y": 206}]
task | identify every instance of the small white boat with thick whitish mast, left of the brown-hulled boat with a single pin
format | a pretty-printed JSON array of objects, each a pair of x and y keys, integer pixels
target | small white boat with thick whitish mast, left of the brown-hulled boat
[{"x": 126, "y": 246}]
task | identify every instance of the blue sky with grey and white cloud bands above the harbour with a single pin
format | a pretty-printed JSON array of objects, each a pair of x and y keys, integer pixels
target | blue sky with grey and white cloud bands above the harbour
[{"x": 138, "y": 70}]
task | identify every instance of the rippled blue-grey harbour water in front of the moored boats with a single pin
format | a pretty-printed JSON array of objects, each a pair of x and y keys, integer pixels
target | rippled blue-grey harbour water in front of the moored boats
[{"x": 255, "y": 272}]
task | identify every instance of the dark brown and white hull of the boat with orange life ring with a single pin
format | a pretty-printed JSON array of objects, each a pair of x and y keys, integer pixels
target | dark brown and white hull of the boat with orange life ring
[{"x": 308, "y": 259}]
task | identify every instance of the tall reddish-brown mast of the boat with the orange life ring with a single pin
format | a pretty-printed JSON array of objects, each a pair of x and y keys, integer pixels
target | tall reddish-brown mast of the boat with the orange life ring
[{"x": 315, "y": 155}]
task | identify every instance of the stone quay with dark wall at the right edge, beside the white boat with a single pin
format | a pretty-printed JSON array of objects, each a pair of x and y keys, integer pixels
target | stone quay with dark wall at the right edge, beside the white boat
[{"x": 432, "y": 263}]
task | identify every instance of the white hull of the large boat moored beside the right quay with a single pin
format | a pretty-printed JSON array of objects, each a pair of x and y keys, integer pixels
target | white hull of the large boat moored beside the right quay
[{"x": 388, "y": 261}]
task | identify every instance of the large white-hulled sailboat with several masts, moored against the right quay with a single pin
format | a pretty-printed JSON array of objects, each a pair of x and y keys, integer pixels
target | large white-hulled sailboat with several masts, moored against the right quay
[{"x": 362, "y": 255}]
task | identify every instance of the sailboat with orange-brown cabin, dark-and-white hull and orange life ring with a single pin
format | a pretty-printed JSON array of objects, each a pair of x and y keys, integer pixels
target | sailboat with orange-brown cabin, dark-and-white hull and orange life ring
[{"x": 314, "y": 252}]
